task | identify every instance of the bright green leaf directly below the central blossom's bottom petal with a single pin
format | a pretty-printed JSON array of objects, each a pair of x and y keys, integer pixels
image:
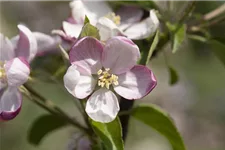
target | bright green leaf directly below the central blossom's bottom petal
[{"x": 109, "y": 133}]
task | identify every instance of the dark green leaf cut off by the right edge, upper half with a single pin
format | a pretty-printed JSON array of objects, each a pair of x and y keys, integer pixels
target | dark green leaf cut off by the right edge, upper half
[{"x": 219, "y": 49}]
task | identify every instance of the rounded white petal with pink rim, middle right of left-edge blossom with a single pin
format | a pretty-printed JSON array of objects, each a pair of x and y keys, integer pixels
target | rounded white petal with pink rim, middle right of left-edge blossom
[{"x": 17, "y": 71}]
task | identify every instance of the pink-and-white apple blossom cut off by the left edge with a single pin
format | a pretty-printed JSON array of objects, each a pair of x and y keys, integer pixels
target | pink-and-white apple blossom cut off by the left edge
[{"x": 14, "y": 70}]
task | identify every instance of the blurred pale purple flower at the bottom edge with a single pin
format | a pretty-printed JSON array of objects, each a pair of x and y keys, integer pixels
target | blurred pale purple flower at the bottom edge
[{"x": 79, "y": 142}]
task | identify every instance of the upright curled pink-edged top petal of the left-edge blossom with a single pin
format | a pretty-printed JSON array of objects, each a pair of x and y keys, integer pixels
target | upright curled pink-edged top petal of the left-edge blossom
[{"x": 27, "y": 44}]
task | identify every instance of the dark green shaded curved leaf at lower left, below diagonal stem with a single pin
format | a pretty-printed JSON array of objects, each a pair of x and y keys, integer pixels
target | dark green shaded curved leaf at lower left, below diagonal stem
[{"x": 44, "y": 125}]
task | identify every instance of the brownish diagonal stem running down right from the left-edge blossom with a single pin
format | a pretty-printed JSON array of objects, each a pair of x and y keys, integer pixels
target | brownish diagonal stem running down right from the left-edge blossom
[{"x": 50, "y": 107}]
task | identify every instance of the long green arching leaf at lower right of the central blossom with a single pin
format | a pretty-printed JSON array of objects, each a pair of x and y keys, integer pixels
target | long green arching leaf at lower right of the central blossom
[{"x": 159, "y": 120}]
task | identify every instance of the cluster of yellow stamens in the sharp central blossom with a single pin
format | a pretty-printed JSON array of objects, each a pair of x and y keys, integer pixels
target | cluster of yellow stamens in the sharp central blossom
[{"x": 106, "y": 79}]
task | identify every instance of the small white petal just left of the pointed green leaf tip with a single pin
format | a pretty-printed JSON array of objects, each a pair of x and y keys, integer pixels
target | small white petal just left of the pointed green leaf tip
[{"x": 72, "y": 30}]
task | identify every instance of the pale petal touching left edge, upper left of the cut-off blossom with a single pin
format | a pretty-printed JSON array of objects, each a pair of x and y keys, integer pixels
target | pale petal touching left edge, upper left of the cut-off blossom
[{"x": 6, "y": 49}]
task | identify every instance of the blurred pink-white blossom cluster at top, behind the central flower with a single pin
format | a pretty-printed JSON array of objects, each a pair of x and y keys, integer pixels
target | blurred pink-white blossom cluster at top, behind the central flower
[{"x": 127, "y": 22}]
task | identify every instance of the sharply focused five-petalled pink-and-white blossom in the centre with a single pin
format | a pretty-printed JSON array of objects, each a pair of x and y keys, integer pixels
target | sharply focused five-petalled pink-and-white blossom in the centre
[{"x": 98, "y": 70}]
